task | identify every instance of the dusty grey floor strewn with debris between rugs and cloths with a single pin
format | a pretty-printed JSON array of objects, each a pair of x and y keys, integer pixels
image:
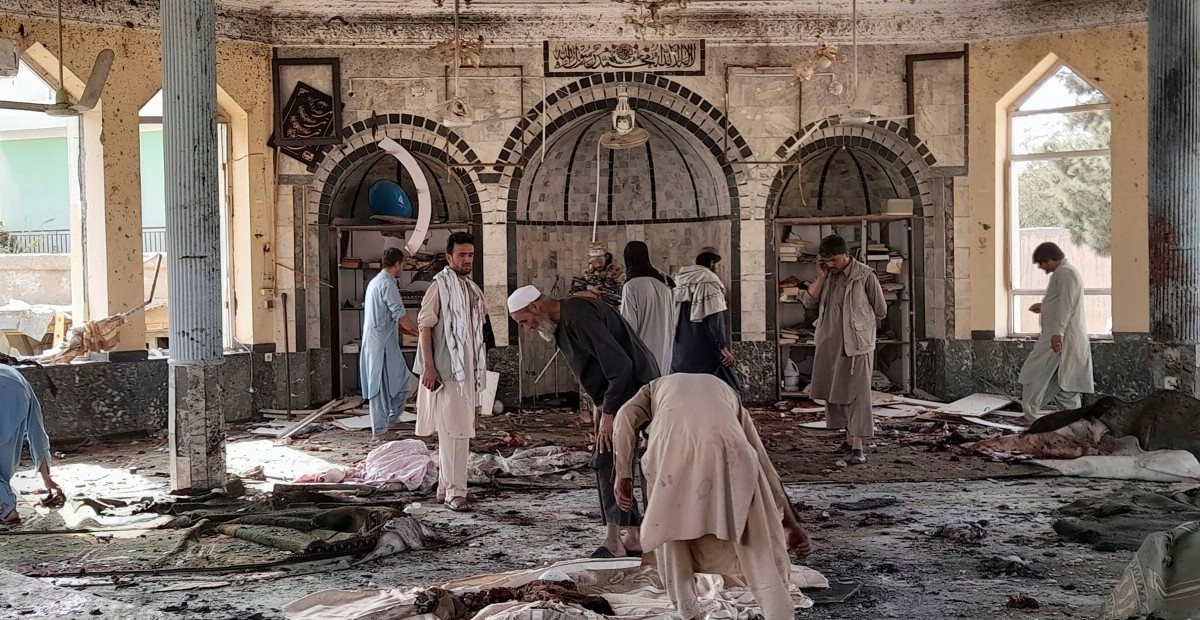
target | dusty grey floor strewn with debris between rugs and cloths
[{"x": 905, "y": 571}]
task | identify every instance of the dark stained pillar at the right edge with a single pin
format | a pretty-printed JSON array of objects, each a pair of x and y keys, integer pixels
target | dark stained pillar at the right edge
[{"x": 1175, "y": 171}]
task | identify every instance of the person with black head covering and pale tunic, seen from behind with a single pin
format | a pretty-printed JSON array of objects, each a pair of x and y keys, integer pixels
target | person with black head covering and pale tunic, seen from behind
[{"x": 647, "y": 303}]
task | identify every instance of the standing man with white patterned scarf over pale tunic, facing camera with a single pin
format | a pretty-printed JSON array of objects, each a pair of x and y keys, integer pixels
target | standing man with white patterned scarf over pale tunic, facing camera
[{"x": 453, "y": 364}]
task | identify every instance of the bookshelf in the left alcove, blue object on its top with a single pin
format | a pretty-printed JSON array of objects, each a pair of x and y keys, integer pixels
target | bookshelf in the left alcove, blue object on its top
[{"x": 358, "y": 250}]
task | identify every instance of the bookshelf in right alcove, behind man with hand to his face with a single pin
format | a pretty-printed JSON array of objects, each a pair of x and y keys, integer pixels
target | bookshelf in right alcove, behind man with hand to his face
[{"x": 889, "y": 251}]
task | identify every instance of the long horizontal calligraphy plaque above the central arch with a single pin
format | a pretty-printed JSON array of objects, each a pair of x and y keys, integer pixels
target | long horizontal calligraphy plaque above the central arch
[{"x": 665, "y": 58}]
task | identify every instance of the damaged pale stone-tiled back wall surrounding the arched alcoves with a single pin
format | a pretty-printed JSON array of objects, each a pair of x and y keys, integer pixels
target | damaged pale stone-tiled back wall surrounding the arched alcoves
[{"x": 767, "y": 113}]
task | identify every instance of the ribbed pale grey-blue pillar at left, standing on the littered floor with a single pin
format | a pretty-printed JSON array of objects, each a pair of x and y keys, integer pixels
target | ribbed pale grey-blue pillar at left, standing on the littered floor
[{"x": 194, "y": 243}]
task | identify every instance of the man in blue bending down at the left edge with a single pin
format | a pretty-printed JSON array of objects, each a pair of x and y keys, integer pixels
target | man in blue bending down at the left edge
[{"x": 21, "y": 420}]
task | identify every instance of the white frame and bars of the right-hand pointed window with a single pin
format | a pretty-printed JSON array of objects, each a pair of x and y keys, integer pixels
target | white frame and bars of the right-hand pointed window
[{"x": 1012, "y": 197}]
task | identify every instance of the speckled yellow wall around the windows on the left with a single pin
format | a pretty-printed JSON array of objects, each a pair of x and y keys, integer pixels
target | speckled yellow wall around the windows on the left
[{"x": 110, "y": 281}]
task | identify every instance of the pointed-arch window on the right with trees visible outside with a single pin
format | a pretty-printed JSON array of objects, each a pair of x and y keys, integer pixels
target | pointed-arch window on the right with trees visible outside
[{"x": 1060, "y": 190}]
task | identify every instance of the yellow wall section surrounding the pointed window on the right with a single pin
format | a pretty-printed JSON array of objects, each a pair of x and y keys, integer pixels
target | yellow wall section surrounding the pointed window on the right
[{"x": 1003, "y": 71}]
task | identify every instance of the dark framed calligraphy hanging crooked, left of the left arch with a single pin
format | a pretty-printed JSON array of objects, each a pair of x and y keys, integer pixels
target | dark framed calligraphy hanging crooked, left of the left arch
[{"x": 311, "y": 117}]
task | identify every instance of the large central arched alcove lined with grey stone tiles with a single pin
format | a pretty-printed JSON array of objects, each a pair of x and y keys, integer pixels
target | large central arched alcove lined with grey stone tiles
[{"x": 677, "y": 192}]
